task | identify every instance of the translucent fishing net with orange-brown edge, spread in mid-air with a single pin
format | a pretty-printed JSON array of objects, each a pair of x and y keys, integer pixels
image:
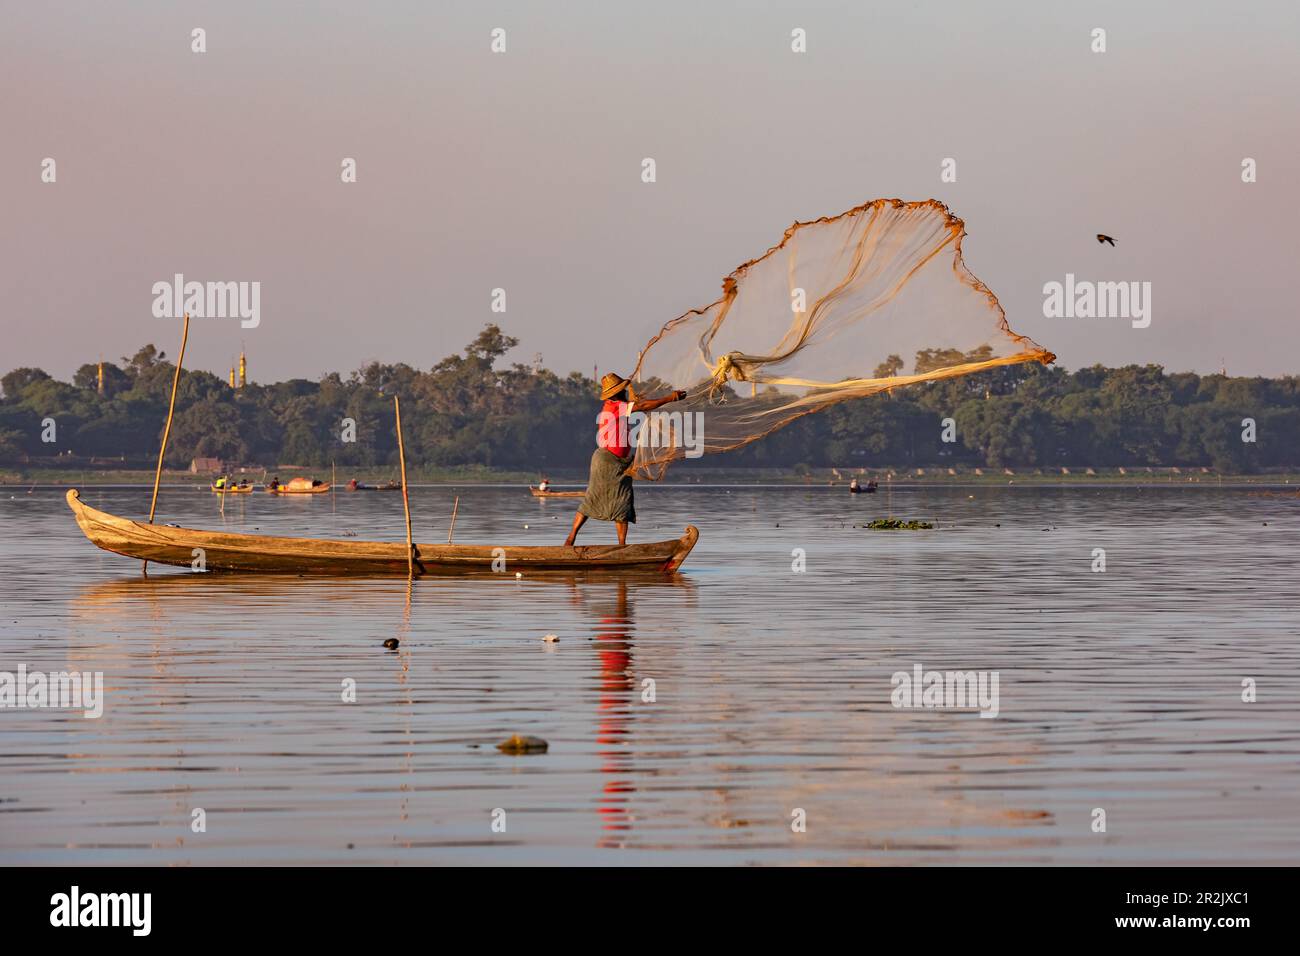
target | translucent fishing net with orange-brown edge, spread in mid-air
[{"x": 844, "y": 308}]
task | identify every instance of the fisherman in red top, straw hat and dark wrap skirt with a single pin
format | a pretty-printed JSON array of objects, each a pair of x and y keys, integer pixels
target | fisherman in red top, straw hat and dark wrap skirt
[{"x": 609, "y": 487}]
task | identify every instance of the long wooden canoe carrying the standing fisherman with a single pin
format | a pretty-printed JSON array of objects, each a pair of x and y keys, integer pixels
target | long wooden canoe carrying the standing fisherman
[{"x": 229, "y": 552}]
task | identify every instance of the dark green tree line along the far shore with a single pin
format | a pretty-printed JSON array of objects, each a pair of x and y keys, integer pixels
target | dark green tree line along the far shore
[{"x": 469, "y": 412}]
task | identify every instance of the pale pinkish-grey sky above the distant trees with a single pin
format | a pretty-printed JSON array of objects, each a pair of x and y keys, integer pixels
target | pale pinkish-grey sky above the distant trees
[{"x": 523, "y": 171}]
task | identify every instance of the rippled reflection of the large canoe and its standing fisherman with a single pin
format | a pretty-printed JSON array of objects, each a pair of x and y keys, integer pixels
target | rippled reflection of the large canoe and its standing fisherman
[{"x": 151, "y": 635}]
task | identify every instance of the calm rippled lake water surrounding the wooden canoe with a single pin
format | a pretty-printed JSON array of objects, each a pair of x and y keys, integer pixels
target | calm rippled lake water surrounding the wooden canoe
[{"x": 772, "y": 689}]
